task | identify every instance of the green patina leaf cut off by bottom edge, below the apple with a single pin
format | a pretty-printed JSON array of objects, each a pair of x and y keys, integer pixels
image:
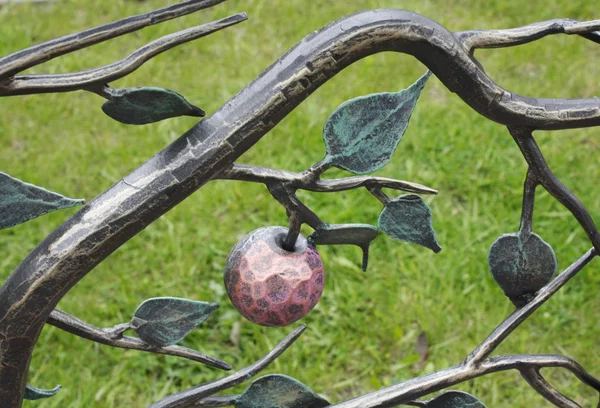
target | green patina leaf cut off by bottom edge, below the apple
[{"x": 279, "y": 391}]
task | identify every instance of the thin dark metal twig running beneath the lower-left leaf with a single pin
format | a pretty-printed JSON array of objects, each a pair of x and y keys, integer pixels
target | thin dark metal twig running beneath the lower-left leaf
[{"x": 73, "y": 325}]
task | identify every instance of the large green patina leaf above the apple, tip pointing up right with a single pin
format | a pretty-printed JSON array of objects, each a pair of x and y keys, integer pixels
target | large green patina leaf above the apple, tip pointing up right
[{"x": 362, "y": 133}]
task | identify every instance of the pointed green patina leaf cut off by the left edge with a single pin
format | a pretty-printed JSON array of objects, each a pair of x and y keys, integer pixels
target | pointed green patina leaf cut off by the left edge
[{"x": 20, "y": 201}]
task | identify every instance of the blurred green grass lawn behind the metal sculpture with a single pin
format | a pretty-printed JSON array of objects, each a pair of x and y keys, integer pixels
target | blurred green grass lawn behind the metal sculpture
[{"x": 362, "y": 335}]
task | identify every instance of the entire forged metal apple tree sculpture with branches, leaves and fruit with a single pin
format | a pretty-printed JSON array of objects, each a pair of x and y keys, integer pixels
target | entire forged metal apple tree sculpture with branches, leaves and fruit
[{"x": 360, "y": 137}]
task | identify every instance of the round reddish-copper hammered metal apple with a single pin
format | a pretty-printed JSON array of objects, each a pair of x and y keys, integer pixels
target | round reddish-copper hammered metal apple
[{"x": 269, "y": 285}]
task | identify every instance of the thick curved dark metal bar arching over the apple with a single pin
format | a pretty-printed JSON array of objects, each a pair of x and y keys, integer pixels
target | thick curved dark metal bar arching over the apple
[{"x": 30, "y": 294}]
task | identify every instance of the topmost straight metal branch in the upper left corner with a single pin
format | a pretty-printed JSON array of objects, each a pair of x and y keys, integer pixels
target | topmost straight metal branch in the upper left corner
[{"x": 29, "y": 57}]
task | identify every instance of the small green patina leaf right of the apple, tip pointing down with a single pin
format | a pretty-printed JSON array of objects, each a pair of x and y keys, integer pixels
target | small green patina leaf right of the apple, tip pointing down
[{"x": 408, "y": 218}]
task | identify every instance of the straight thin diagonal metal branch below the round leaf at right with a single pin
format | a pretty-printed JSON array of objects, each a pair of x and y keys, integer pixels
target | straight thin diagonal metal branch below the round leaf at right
[{"x": 518, "y": 316}]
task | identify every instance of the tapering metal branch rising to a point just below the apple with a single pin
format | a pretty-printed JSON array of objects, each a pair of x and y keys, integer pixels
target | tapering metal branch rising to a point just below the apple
[{"x": 191, "y": 397}]
